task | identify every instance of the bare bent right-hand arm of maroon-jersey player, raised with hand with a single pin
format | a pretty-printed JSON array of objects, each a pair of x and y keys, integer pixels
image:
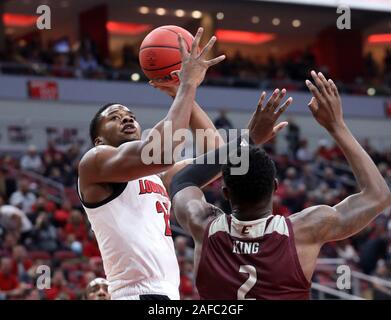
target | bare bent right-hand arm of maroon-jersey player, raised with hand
[{"x": 323, "y": 223}]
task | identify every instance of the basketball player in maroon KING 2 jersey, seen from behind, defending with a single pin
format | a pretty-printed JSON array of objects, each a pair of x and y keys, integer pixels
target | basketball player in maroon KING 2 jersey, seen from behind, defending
[{"x": 254, "y": 254}]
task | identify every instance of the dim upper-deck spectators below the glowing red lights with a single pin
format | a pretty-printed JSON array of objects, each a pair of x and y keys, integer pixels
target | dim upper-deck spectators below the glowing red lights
[{"x": 62, "y": 60}]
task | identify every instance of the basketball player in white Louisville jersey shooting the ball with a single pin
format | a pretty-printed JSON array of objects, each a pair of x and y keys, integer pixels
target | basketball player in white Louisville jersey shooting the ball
[{"x": 126, "y": 200}]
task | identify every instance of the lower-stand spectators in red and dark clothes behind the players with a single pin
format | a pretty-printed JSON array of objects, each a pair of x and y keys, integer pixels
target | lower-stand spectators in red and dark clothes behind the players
[{"x": 40, "y": 227}]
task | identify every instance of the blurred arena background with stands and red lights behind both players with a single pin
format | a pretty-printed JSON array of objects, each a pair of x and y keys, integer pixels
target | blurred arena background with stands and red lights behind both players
[{"x": 53, "y": 81}]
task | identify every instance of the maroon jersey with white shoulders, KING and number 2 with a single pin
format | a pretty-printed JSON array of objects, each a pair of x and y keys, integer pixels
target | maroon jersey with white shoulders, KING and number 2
[{"x": 250, "y": 260}]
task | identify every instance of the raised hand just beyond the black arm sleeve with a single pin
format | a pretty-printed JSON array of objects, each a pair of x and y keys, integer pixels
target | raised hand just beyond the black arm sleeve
[{"x": 262, "y": 125}]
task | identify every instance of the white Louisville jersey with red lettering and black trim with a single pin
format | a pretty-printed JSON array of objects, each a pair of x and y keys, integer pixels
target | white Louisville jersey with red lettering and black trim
[{"x": 134, "y": 237}]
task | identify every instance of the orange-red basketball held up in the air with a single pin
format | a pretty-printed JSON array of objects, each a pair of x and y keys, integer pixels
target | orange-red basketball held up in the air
[{"x": 159, "y": 53}]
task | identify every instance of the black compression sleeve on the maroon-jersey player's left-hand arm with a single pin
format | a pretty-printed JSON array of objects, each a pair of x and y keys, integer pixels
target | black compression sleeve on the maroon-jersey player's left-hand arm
[{"x": 200, "y": 171}]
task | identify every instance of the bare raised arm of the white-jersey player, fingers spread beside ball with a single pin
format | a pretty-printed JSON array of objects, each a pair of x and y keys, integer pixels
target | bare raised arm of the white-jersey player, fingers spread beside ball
[{"x": 126, "y": 162}]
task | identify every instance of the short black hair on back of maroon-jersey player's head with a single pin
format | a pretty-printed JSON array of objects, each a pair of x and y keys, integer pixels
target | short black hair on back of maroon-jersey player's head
[{"x": 258, "y": 183}]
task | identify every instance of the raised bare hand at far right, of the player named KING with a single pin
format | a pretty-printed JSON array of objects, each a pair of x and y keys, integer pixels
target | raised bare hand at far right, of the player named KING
[{"x": 325, "y": 105}]
